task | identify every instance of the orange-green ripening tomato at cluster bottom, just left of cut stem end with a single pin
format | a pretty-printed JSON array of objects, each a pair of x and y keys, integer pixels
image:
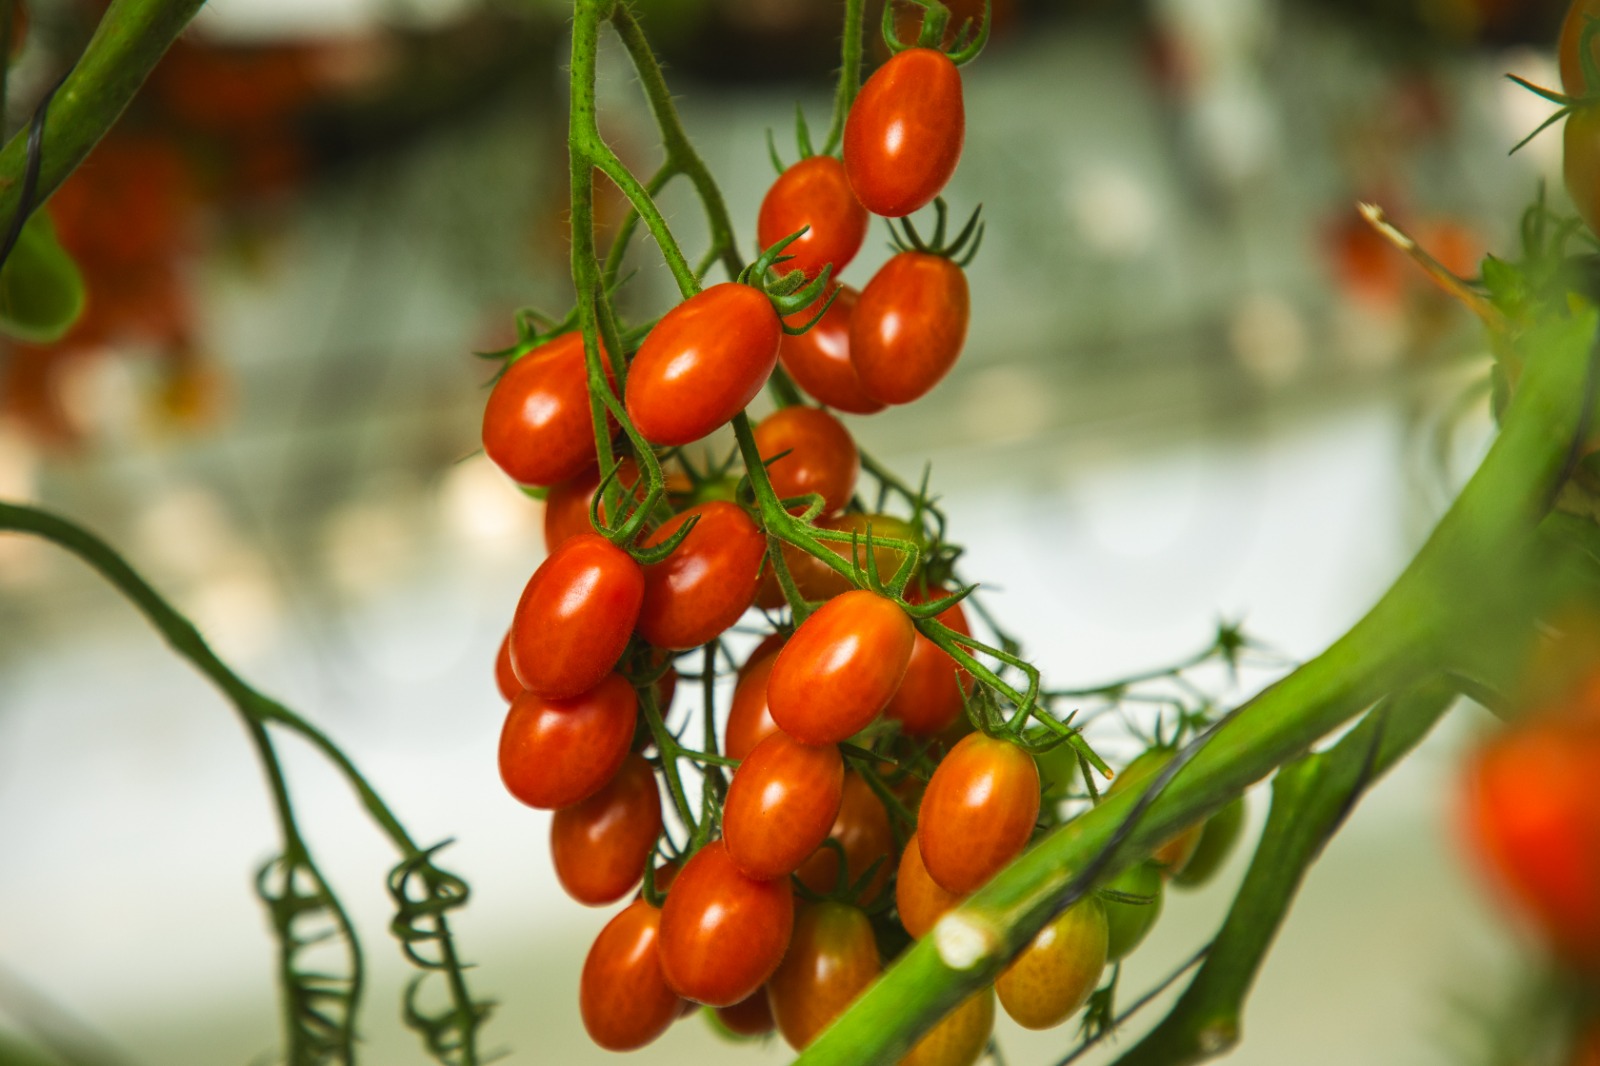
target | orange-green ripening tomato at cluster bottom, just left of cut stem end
[{"x": 833, "y": 956}]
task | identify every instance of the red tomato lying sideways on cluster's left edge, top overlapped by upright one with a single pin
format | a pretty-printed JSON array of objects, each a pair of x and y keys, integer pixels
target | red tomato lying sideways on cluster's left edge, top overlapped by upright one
[{"x": 558, "y": 753}]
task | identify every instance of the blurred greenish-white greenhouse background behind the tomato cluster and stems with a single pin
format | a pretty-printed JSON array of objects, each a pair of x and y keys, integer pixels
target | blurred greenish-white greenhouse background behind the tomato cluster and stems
[{"x": 1198, "y": 387}]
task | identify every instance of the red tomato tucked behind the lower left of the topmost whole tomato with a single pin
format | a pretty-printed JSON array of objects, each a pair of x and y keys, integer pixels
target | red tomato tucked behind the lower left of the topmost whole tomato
[{"x": 815, "y": 196}]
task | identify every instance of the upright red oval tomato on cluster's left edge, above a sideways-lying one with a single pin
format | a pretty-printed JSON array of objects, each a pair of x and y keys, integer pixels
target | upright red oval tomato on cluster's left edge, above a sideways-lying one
[{"x": 575, "y": 617}]
